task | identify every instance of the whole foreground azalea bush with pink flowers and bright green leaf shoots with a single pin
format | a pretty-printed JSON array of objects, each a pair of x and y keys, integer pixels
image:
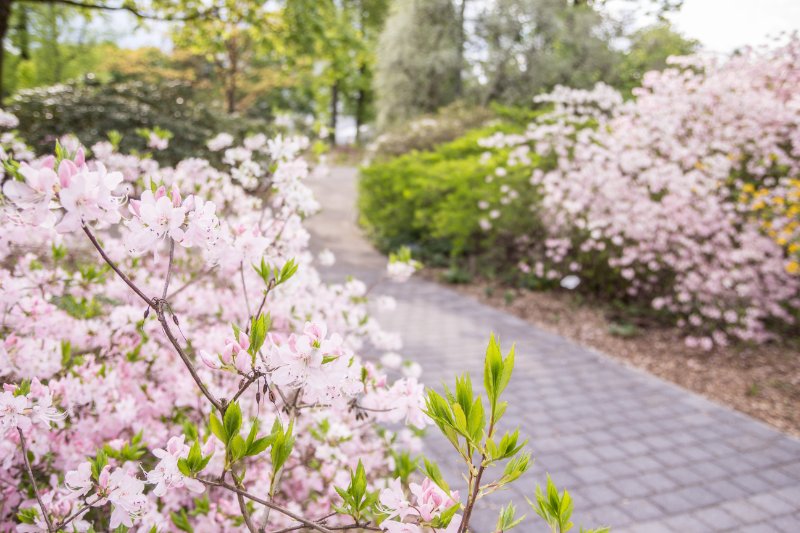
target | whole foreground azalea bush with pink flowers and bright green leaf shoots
[{"x": 171, "y": 361}]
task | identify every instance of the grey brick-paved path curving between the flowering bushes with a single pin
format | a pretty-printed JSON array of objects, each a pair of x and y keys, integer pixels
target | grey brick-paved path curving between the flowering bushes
[{"x": 637, "y": 453}]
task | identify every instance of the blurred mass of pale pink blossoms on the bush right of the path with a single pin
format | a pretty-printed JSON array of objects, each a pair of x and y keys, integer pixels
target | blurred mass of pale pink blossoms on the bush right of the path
[{"x": 642, "y": 199}]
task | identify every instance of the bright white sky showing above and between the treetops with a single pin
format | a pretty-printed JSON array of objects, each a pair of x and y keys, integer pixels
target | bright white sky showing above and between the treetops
[{"x": 721, "y": 26}]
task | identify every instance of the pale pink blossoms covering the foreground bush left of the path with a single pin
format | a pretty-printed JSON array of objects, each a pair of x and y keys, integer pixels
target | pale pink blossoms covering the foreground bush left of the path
[{"x": 87, "y": 372}]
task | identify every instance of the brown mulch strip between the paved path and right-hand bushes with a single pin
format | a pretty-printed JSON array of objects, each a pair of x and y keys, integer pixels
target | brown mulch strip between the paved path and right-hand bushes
[{"x": 762, "y": 381}]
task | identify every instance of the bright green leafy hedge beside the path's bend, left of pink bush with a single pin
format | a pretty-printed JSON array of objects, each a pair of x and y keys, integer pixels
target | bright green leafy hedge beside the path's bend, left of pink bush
[{"x": 429, "y": 201}]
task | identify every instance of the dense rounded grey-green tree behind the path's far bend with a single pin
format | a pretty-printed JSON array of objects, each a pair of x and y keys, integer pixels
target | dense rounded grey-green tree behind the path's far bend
[{"x": 418, "y": 60}]
